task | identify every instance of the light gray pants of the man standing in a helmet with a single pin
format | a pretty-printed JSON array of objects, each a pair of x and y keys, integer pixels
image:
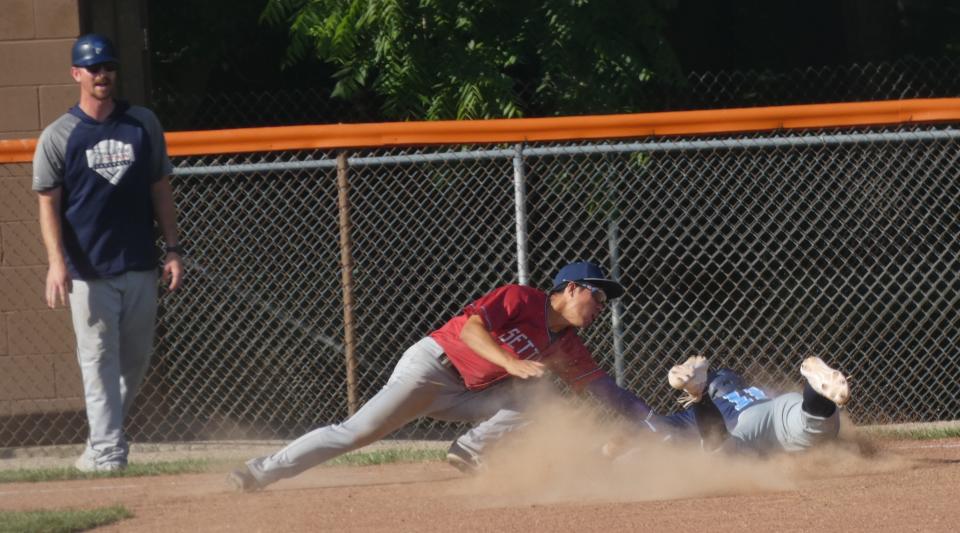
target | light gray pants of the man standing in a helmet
[{"x": 113, "y": 320}]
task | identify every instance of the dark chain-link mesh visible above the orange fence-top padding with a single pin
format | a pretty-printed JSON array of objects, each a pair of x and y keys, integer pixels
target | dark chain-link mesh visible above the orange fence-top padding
[{"x": 908, "y": 77}]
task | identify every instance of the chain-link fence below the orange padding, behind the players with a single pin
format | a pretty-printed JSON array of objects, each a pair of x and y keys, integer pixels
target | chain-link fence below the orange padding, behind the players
[{"x": 752, "y": 249}]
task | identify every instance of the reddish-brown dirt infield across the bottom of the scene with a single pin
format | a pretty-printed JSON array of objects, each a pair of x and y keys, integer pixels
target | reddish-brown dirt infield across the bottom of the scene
[{"x": 887, "y": 486}]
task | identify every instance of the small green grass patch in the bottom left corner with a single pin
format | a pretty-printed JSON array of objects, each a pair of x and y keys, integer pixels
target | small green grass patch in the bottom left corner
[{"x": 60, "y": 521}]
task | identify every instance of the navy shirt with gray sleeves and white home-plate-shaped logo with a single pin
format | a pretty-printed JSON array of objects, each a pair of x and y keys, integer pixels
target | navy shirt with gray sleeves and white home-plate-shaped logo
[{"x": 105, "y": 170}]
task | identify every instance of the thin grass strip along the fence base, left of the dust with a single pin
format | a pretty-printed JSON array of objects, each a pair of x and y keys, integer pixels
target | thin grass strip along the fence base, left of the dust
[{"x": 195, "y": 466}]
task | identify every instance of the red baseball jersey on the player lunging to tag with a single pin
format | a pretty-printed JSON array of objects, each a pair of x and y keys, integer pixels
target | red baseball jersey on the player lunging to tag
[{"x": 516, "y": 316}]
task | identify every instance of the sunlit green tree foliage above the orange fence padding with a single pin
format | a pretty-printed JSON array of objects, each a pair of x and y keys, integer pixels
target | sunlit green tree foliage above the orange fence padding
[{"x": 444, "y": 59}]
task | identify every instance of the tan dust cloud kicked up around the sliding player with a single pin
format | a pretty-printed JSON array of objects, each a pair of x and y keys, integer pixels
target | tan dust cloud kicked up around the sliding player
[{"x": 558, "y": 459}]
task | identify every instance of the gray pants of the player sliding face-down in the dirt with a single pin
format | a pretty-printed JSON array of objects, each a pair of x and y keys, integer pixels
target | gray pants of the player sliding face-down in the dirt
[{"x": 782, "y": 424}]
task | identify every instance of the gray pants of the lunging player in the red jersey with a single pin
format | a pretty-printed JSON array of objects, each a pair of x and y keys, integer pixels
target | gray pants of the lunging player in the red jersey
[{"x": 419, "y": 386}]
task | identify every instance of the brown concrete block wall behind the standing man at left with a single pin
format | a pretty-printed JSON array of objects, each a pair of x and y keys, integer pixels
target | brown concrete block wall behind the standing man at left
[{"x": 38, "y": 370}]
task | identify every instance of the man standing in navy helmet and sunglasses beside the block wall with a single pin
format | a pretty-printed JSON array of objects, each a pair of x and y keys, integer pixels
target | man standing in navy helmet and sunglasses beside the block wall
[{"x": 101, "y": 171}]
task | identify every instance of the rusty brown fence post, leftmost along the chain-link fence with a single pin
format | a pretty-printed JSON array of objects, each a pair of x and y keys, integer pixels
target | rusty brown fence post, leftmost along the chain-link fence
[{"x": 346, "y": 265}]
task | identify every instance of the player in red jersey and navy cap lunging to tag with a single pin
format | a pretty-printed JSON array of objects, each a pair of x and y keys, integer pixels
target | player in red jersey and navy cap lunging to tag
[{"x": 478, "y": 367}]
